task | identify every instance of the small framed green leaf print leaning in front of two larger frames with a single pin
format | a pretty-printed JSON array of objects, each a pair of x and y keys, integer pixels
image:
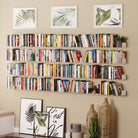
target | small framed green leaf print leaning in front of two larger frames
[{"x": 41, "y": 123}]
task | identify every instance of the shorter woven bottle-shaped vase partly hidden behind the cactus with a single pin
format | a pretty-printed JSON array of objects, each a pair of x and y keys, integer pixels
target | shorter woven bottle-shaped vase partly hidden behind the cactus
[{"x": 91, "y": 114}]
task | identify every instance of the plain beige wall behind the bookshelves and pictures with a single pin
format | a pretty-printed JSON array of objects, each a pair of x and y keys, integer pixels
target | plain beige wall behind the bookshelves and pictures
[{"x": 126, "y": 108}]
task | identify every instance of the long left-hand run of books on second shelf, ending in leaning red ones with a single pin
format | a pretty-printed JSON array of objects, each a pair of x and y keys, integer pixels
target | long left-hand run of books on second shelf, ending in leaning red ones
[{"x": 56, "y": 55}]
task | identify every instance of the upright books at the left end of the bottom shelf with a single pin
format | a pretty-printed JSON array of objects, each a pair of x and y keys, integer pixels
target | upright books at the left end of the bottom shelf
[{"x": 23, "y": 83}]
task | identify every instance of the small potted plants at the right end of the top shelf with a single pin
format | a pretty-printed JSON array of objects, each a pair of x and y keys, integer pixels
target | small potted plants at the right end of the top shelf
[{"x": 120, "y": 41}]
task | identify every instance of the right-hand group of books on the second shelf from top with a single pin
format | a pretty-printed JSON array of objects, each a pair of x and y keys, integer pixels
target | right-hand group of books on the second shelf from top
[{"x": 105, "y": 56}]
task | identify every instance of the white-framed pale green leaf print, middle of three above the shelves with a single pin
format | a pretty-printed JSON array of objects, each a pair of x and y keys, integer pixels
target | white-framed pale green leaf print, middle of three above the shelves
[{"x": 64, "y": 17}]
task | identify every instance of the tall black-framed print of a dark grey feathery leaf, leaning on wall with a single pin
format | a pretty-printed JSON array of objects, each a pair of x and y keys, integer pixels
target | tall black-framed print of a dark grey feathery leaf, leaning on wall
[{"x": 27, "y": 113}]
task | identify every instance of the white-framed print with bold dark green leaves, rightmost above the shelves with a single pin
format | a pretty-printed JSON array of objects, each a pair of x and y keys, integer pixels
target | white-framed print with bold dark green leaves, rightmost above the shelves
[{"x": 108, "y": 15}]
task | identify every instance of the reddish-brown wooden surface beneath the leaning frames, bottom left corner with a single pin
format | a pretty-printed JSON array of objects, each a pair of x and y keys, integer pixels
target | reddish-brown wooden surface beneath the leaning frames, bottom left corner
[{"x": 17, "y": 135}]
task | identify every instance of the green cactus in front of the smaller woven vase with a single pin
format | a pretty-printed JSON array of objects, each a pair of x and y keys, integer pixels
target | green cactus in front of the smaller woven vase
[{"x": 94, "y": 128}]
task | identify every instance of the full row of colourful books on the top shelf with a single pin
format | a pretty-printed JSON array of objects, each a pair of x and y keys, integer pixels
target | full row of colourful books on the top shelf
[{"x": 62, "y": 40}]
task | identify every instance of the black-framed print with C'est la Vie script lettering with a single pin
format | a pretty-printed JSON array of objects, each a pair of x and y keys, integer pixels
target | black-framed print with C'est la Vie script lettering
[{"x": 57, "y": 117}]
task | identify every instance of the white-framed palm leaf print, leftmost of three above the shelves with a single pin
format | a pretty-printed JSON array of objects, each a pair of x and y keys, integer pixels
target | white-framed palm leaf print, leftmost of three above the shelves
[{"x": 24, "y": 18}]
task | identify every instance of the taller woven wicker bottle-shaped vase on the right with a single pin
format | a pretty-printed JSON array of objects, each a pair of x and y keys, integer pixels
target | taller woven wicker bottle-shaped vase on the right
[{"x": 105, "y": 120}]
